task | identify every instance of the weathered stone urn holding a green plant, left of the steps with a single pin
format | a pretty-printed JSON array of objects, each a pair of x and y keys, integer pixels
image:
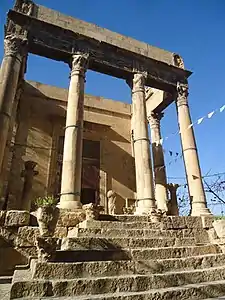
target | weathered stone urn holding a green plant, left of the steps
[{"x": 47, "y": 215}]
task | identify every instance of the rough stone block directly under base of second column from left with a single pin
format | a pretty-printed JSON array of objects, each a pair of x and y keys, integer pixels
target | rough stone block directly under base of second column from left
[{"x": 70, "y": 218}]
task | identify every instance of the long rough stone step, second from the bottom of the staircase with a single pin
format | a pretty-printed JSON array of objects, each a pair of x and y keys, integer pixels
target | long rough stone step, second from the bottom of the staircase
[{"x": 127, "y": 284}]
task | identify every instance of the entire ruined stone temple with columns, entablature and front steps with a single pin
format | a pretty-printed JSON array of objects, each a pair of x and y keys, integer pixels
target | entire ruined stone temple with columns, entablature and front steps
[{"x": 116, "y": 232}]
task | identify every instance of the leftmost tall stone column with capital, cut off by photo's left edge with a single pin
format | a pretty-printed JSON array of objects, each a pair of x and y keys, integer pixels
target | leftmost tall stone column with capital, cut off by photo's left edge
[{"x": 15, "y": 49}]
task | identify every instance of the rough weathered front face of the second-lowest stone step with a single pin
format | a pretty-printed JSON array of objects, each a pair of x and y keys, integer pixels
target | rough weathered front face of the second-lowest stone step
[{"x": 101, "y": 285}]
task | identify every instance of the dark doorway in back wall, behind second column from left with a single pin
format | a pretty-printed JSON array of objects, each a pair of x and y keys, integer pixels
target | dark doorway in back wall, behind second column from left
[{"x": 90, "y": 170}]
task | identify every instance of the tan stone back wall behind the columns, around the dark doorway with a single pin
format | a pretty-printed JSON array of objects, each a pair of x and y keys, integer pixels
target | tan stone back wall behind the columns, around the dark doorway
[{"x": 106, "y": 121}]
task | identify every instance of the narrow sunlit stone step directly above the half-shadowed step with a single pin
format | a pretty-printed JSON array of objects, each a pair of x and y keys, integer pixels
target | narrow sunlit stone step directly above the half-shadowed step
[{"x": 199, "y": 235}]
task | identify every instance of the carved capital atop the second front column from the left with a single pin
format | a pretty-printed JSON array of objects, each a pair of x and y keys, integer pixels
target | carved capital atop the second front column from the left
[{"x": 79, "y": 64}]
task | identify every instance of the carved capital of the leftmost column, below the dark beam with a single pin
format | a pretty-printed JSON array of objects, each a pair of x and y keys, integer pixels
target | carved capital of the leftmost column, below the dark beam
[{"x": 15, "y": 46}]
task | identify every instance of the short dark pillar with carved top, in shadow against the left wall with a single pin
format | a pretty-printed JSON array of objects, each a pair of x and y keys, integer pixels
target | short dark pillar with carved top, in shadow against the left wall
[{"x": 28, "y": 173}]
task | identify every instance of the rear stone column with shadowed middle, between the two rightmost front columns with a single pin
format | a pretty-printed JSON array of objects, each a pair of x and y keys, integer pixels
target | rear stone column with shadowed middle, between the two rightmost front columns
[{"x": 158, "y": 161}]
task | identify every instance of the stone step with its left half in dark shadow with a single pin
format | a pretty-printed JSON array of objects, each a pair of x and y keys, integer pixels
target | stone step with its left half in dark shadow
[{"x": 134, "y": 254}]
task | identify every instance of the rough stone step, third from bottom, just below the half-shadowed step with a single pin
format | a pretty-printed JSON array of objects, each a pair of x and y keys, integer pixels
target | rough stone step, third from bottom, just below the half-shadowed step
[{"x": 118, "y": 268}]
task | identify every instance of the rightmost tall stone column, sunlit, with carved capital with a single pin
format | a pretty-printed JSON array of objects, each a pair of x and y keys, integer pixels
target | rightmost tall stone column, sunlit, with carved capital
[{"x": 191, "y": 161}]
